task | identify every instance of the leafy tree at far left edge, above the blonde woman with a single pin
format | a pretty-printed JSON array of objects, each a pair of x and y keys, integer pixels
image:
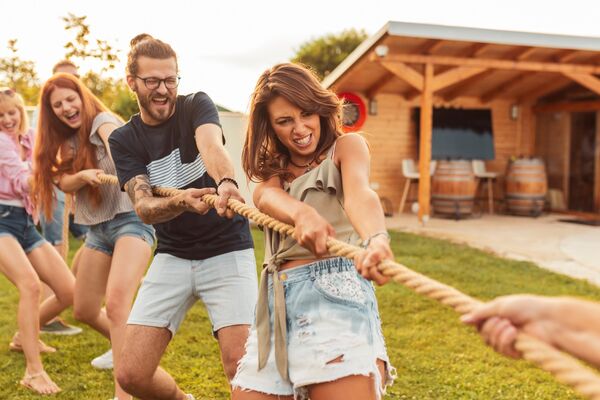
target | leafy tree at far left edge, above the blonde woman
[{"x": 19, "y": 74}]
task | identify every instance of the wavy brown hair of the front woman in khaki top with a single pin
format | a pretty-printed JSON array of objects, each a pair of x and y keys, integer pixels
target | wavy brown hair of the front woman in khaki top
[{"x": 264, "y": 156}]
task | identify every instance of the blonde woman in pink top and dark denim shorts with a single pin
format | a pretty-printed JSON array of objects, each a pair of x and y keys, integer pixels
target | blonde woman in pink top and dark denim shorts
[{"x": 25, "y": 257}]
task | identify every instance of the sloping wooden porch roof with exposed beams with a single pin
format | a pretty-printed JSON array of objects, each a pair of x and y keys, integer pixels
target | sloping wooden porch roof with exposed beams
[{"x": 482, "y": 63}]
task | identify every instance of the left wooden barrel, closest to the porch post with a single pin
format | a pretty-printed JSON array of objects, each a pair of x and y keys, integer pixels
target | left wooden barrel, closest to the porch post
[{"x": 453, "y": 188}]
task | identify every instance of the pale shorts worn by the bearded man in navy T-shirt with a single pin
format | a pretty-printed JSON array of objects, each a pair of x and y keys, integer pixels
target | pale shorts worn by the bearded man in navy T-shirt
[{"x": 227, "y": 284}]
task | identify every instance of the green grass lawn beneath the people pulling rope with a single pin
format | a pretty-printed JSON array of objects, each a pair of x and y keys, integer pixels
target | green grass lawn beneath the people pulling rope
[{"x": 436, "y": 357}]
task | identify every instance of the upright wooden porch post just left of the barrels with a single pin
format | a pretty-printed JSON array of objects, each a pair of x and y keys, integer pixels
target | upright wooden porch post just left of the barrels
[{"x": 425, "y": 144}]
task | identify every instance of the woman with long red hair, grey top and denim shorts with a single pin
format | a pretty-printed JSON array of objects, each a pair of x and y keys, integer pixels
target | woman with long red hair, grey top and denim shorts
[{"x": 71, "y": 150}]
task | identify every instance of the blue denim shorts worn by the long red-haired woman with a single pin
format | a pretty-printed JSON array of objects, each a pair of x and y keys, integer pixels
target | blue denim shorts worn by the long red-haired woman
[{"x": 103, "y": 236}]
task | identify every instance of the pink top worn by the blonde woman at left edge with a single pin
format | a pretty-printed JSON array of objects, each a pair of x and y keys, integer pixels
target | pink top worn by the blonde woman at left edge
[{"x": 14, "y": 171}]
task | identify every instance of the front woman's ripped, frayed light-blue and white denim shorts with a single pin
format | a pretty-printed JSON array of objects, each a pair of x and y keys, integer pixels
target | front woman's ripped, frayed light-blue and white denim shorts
[{"x": 333, "y": 331}]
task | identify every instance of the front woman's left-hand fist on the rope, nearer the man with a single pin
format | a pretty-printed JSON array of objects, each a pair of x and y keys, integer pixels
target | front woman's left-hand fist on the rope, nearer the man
[{"x": 311, "y": 231}]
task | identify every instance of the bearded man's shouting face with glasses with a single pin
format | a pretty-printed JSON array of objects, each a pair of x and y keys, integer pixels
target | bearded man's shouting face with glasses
[{"x": 156, "y": 105}]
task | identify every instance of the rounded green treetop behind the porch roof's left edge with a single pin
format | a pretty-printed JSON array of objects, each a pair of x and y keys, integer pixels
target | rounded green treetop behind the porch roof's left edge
[{"x": 325, "y": 53}]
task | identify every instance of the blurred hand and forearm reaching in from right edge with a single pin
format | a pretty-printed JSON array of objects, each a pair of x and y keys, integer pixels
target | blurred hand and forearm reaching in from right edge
[{"x": 567, "y": 323}]
